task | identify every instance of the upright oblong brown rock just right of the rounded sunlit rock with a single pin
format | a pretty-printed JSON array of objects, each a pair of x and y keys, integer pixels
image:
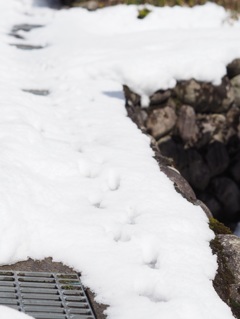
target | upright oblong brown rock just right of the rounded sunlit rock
[{"x": 186, "y": 125}]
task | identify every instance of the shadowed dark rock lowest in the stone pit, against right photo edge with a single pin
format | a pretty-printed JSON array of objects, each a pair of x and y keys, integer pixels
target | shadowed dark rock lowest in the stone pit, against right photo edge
[{"x": 228, "y": 194}]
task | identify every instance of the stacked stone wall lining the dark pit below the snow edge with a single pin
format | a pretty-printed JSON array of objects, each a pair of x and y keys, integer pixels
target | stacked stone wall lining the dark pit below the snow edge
[{"x": 197, "y": 124}]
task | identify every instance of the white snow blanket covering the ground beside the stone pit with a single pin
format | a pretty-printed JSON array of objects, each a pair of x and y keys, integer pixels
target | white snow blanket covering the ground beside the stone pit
[{"x": 78, "y": 181}]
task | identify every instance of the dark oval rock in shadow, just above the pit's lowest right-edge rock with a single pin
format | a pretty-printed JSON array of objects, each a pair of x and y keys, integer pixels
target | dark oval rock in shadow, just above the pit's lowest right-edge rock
[{"x": 217, "y": 158}]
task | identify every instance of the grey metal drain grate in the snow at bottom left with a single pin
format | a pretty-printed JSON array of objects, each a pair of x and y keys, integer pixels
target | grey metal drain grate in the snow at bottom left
[{"x": 45, "y": 295}]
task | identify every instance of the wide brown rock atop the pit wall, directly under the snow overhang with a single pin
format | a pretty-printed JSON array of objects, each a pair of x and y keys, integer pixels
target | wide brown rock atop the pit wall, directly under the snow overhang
[{"x": 205, "y": 97}]
